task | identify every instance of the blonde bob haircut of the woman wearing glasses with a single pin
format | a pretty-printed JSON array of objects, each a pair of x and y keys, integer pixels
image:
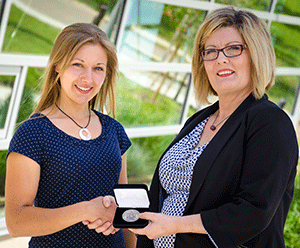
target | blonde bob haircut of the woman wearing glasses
[{"x": 257, "y": 38}]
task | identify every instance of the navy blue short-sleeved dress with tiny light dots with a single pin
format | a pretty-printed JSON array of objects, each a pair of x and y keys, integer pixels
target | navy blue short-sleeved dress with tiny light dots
[{"x": 73, "y": 170}]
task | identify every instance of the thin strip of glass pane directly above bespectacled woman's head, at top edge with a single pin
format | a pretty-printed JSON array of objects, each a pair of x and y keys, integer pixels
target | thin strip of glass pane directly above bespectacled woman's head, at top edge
[{"x": 252, "y": 4}]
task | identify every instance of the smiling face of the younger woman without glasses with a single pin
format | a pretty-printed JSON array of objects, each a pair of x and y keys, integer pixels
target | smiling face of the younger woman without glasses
[{"x": 84, "y": 76}]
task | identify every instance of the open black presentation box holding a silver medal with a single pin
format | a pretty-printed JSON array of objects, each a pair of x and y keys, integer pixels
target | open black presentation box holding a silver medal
[{"x": 131, "y": 199}]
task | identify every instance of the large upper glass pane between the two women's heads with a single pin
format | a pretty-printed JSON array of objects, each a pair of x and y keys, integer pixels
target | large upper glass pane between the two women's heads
[{"x": 159, "y": 32}]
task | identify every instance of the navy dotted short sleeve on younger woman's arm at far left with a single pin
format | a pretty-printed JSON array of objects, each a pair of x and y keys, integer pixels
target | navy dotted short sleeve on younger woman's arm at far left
[{"x": 26, "y": 141}]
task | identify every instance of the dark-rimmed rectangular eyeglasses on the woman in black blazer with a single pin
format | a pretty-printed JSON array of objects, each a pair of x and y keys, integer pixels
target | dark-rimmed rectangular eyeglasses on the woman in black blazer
[{"x": 228, "y": 51}]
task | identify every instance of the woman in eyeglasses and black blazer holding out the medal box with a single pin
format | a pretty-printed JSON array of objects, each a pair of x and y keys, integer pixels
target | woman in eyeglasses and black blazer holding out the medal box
[{"x": 227, "y": 179}]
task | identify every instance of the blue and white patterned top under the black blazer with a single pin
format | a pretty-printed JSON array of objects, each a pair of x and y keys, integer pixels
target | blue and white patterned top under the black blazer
[{"x": 175, "y": 174}]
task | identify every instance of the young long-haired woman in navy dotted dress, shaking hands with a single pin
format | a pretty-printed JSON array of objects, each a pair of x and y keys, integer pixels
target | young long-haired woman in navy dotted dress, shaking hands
[{"x": 63, "y": 162}]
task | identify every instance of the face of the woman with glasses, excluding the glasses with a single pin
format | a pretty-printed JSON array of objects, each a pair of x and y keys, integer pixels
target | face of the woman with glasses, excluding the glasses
[{"x": 228, "y": 76}]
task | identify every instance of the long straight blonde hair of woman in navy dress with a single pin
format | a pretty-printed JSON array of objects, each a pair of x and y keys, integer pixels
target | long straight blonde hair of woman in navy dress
[{"x": 67, "y": 43}]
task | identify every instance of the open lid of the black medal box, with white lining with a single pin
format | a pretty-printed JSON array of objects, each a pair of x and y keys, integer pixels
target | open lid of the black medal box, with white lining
[{"x": 132, "y": 195}]
